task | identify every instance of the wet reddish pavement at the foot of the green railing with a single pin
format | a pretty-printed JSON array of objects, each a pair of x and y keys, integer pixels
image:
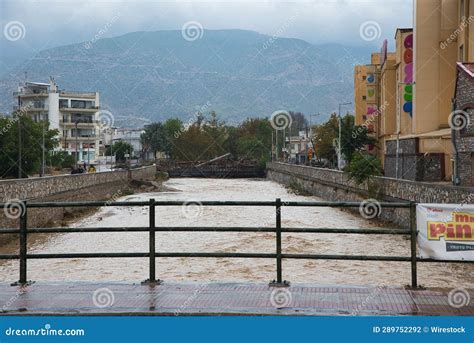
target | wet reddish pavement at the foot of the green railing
[{"x": 84, "y": 298}]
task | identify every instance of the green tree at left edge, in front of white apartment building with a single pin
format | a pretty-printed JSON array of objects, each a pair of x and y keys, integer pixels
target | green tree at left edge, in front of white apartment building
[{"x": 31, "y": 144}]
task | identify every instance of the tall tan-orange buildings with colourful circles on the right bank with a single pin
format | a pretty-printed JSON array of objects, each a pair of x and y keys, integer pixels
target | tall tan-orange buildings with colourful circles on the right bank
[{"x": 406, "y": 101}]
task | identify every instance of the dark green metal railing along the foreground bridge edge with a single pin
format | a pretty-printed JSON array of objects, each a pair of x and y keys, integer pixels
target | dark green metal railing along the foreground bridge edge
[{"x": 23, "y": 256}]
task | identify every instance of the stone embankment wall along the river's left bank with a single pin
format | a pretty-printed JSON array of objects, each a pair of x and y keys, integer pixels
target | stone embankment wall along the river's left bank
[{"x": 94, "y": 186}]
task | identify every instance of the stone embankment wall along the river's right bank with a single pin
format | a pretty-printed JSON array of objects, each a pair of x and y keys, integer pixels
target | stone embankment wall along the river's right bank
[{"x": 333, "y": 185}]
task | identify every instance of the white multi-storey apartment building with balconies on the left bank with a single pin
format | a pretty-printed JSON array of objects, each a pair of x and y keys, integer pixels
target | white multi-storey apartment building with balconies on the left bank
[{"x": 74, "y": 114}]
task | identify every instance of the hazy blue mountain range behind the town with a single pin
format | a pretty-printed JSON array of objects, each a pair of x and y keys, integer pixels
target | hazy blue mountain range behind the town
[{"x": 149, "y": 76}]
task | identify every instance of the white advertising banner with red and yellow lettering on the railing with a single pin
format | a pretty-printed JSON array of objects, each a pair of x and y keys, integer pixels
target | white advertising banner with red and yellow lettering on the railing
[{"x": 445, "y": 231}]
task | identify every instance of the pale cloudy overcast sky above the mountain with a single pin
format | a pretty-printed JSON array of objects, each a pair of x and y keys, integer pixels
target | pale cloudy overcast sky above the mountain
[{"x": 51, "y": 23}]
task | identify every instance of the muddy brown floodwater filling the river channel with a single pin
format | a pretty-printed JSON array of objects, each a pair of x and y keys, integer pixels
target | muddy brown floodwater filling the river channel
[{"x": 212, "y": 269}]
